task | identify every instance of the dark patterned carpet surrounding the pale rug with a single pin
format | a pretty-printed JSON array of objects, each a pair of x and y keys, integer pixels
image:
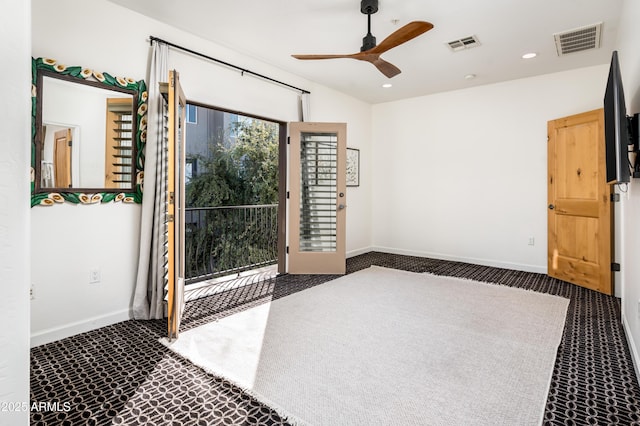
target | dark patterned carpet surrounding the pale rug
[{"x": 121, "y": 374}]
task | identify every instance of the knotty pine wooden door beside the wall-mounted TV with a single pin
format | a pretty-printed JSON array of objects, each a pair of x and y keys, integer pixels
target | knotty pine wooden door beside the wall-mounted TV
[{"x": 579, "y": 202}]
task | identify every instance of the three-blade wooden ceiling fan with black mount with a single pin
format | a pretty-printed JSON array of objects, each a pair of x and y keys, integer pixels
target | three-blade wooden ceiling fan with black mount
[{"x": 371, "y": 52}]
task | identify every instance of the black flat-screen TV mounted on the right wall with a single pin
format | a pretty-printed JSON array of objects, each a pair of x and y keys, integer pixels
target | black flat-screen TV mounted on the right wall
[{"x": 616, "y": 132}]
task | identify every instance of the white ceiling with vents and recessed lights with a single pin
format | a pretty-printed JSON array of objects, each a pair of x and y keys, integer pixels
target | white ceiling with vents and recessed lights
[{"x": 273, "y": 30}]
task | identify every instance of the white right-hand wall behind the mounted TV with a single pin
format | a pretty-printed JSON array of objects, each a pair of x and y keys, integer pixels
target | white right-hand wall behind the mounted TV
[{"x": 629, "y": 208}]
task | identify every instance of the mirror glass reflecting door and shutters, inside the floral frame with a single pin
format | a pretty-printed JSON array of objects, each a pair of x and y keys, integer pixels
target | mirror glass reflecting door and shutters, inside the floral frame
[{"x": 87, "y": 136}]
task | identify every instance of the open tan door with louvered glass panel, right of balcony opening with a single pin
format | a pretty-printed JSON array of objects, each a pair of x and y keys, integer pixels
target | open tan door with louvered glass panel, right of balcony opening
[{"x": 317, "y": 209}]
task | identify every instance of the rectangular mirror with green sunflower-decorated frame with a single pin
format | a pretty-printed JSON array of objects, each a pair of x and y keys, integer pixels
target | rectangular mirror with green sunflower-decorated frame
[{"x": 88, "y": 135}]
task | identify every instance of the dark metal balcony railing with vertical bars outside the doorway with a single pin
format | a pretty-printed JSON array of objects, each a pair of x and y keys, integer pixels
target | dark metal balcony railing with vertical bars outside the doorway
[{"x": 225, "y": 240}]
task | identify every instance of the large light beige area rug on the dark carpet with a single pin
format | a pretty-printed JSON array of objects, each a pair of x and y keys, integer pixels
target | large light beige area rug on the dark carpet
[{"x": 383, "y": 346}]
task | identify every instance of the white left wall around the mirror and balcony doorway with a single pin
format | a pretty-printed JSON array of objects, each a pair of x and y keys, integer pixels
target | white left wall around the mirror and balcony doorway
[{"x": 67, "y": 240}]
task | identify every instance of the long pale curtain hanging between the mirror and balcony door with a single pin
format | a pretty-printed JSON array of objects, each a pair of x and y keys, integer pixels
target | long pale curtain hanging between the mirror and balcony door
[{"x": 149, "y": 292}]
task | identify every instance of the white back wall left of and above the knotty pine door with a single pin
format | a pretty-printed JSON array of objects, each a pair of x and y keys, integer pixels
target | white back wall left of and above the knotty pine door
[{"x": 462, "y": 175}]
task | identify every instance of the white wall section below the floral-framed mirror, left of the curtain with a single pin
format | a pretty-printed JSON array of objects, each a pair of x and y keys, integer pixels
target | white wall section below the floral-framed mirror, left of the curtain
[{"x": 67, "y": 242}]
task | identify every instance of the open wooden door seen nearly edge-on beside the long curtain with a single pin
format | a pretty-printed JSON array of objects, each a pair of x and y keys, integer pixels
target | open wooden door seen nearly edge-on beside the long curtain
[{"x": 176, "y": 204}]
